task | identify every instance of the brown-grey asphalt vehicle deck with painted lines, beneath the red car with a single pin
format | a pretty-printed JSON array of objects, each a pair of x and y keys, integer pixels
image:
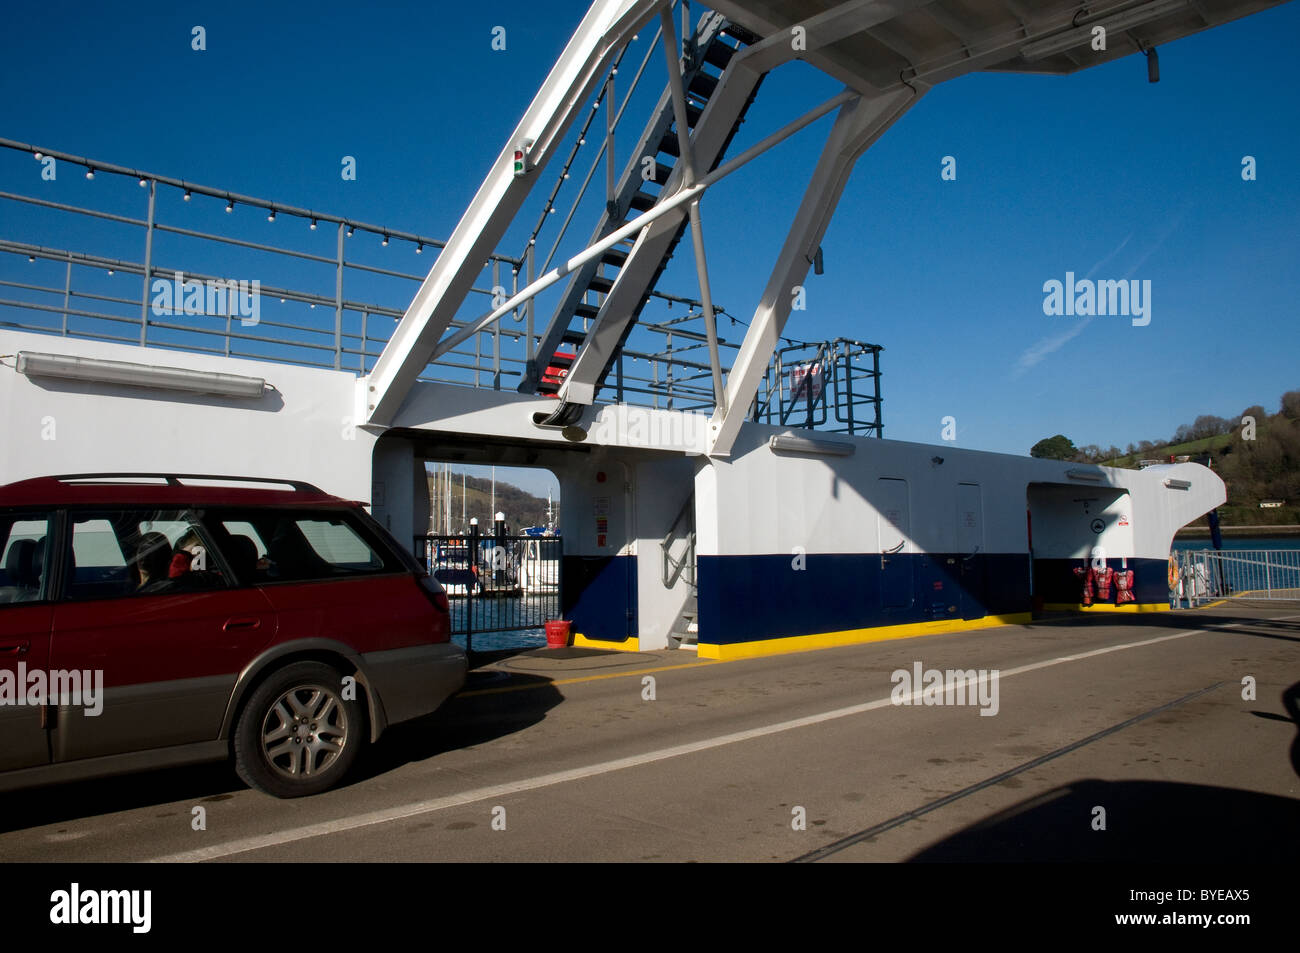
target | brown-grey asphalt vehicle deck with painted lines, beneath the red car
[{"x": 1107, "y": 738}]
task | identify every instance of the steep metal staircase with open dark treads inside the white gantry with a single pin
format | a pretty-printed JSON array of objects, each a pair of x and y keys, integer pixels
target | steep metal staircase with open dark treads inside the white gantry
[{"x": 635, "y": 263}]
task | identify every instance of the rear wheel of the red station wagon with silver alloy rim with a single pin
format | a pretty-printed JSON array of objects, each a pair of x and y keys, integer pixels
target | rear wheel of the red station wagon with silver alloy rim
[{"x": 298, "y": 734}]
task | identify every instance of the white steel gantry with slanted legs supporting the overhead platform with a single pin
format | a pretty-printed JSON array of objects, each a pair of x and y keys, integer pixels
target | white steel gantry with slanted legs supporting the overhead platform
[{"x": 886, "y": 53}]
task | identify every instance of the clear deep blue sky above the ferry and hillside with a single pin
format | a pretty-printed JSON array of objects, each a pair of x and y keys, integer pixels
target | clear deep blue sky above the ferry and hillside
[{"x": 1095, "y": 174}]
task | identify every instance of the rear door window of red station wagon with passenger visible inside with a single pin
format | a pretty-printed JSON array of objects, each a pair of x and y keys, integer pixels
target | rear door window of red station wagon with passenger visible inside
[{"x": 128, "y": 553}]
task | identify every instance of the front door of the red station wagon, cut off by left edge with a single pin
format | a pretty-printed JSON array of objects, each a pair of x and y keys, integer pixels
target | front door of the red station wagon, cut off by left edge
[{"x": 25, "y": 621}]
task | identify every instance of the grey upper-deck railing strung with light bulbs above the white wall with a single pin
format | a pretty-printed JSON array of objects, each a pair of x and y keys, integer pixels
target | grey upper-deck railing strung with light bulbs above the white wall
[{"x": 227, "y": 274}]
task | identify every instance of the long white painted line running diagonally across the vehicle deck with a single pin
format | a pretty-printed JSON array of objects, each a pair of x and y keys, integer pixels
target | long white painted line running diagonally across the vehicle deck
[{"x": 356, "y": 822}]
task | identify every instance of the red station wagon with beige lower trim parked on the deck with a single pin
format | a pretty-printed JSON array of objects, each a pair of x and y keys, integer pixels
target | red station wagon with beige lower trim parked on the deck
[{"x": 162, "y": 620}]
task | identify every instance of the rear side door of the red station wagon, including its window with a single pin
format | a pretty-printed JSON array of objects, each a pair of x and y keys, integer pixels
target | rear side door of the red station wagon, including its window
[{"x": 167, "y": 653}]
